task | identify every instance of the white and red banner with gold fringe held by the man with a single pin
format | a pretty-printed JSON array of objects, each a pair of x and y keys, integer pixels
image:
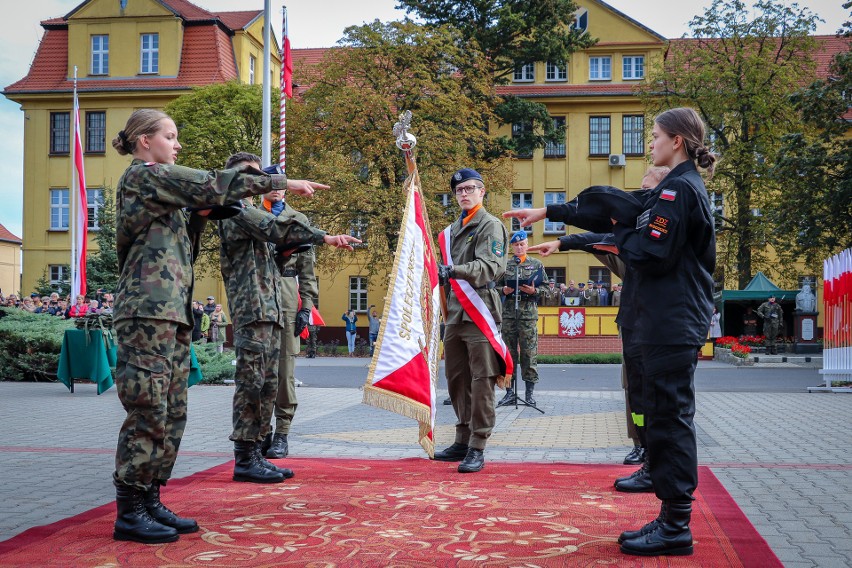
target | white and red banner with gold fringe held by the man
[{"x": 403, "y": 374}]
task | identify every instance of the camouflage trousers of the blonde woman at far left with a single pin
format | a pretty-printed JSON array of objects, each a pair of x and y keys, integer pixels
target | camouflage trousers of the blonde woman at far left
[{"x": 151, "y": 379}]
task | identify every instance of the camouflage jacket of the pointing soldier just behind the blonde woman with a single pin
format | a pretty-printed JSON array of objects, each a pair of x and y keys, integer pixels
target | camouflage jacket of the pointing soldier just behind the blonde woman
[{"x": 247, "y": 258}]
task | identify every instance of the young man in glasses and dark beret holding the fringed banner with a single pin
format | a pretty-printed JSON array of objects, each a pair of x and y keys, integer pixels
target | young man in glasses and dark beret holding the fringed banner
[{"x": 478, "y": 248}]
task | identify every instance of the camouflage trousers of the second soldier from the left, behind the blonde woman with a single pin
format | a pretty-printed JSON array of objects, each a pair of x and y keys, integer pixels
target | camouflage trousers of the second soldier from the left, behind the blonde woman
[{"x": 256, "y": 380}]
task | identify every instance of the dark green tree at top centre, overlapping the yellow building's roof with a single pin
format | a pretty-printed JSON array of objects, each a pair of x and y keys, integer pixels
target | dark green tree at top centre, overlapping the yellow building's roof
[{"x": 511, "y": 33}]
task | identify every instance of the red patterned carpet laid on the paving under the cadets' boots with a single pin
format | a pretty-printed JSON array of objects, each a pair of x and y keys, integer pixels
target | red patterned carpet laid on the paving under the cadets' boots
[{"x": 410, "y": 512}]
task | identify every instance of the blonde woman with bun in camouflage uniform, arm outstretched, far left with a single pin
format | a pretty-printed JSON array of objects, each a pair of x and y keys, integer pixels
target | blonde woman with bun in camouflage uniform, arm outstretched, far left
[{"x": 152, "y": 314}]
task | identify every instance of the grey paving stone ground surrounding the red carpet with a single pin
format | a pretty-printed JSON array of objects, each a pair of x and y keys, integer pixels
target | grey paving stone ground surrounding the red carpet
[{"x": 785, "y": 458}]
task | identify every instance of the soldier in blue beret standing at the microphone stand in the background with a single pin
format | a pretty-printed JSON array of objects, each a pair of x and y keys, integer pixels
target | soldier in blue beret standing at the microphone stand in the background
[{"x": 520, "y": 330}]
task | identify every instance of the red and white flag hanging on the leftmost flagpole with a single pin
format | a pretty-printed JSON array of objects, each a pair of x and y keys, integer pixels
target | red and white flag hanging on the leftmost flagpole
[{"x": 79, "y": 216}]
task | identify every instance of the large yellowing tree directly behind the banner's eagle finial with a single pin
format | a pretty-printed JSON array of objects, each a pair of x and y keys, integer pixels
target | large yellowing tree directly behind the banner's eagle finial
[{"x": 341, "y": 131}]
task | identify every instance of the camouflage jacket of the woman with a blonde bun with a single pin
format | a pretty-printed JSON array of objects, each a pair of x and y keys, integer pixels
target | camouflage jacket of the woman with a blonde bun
[{"x": 153, "y": 241}]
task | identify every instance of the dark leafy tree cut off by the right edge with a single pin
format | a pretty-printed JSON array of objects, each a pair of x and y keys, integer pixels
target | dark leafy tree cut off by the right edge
[{"x": 814, "y": 167}]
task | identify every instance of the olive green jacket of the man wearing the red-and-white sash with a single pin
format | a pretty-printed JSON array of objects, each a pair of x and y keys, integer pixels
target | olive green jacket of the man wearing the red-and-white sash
[{"x": 479, "y": 253}]
